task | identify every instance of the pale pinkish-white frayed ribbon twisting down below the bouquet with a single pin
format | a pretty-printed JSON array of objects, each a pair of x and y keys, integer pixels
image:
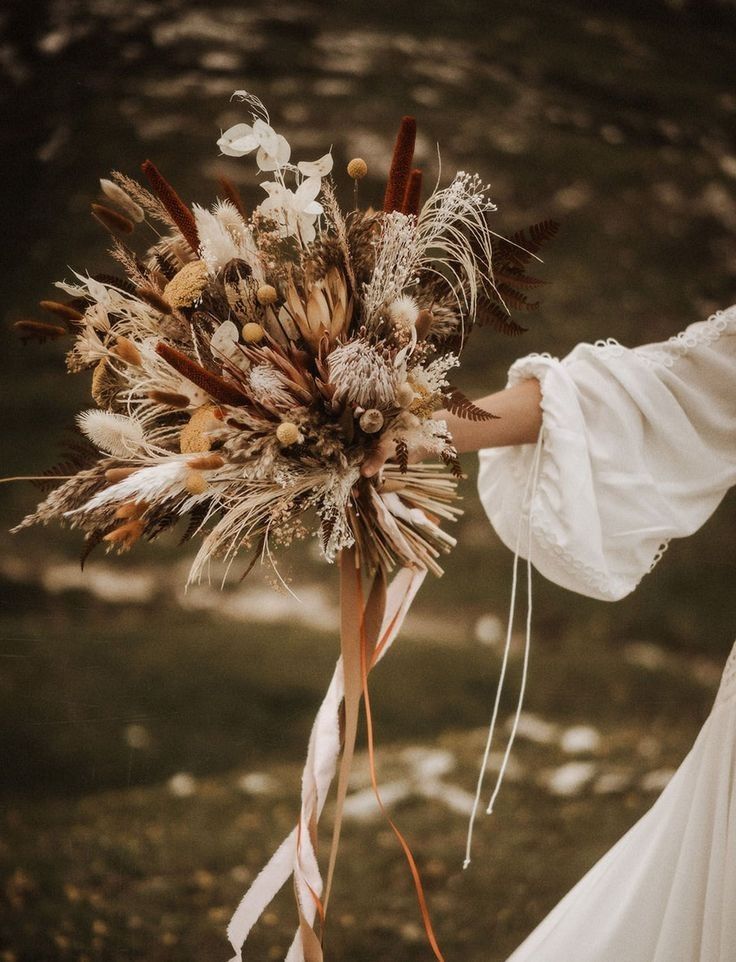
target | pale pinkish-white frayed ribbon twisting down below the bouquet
[{"x": 319, "y": 771}]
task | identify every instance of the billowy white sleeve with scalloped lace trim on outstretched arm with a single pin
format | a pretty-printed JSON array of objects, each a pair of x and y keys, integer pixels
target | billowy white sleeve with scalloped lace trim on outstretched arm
[{"x": 637, "y": 447}]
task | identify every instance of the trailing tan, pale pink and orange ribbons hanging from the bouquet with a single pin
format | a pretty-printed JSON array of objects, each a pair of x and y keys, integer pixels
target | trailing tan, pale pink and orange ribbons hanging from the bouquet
[{"x": 367, "y": 631}]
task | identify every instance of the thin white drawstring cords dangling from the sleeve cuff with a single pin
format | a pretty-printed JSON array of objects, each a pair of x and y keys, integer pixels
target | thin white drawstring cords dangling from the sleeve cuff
[{"x": 525, "y": 513}]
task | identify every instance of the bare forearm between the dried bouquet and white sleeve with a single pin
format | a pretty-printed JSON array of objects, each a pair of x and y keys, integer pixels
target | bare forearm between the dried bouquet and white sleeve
[{"x": 518, "y": 419}]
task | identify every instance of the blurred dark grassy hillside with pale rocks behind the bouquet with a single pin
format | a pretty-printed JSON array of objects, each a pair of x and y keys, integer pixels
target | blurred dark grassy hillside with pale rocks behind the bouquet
[{"x": 134, "y": 719}]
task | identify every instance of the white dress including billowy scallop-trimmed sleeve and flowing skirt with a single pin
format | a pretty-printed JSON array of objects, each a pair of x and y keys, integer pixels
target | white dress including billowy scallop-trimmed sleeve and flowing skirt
[{"x": 638, "y": 446}]
